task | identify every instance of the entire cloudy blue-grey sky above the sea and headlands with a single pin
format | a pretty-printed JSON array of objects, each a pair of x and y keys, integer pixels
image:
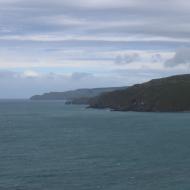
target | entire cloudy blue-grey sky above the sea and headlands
[{"x": 59, "y": 45}]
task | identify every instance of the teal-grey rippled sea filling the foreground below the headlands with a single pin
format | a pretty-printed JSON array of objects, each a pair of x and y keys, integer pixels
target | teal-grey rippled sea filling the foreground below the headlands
[{"x": 50, "y": 146}]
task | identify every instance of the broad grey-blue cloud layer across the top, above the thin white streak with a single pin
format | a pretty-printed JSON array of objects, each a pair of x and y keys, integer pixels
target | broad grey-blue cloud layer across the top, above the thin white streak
[{"x": 36, "y": 16}]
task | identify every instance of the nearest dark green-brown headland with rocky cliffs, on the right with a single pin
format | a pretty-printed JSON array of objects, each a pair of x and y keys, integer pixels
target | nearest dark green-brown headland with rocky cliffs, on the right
[{"x": 159, "y": 95}]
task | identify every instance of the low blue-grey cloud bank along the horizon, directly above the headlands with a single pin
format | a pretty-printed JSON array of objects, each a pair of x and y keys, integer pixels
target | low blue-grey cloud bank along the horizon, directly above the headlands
[{"x": 18, "y": 88}]
